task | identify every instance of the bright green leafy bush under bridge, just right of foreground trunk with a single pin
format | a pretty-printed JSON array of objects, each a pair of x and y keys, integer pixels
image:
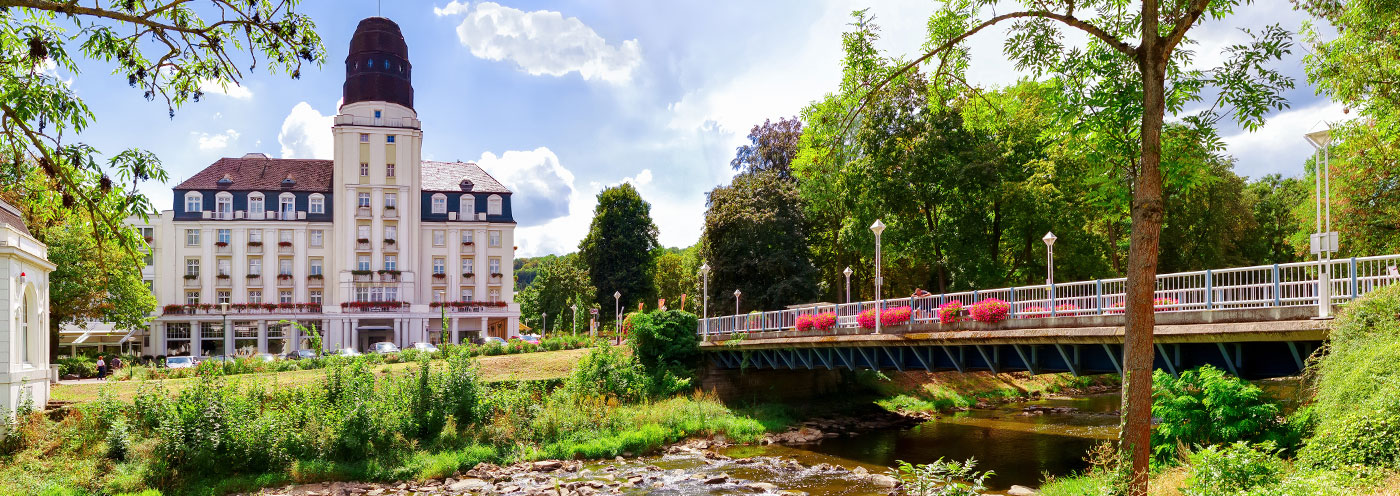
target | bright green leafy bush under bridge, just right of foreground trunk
[{"x": 1206, "y": 407}]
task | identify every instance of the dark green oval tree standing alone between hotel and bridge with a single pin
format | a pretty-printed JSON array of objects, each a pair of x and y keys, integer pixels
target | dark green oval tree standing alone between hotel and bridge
[{"x": 618, "y": 249}]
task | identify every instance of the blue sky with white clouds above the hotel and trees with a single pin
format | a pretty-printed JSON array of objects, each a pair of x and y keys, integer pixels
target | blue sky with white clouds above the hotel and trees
[{"x": 559, "y": 100}]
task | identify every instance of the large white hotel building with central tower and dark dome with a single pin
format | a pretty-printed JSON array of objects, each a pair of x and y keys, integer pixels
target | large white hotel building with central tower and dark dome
[{"x": 374, "y": 246}]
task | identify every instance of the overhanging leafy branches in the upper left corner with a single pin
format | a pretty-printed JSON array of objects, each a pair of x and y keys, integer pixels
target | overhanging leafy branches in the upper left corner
[{"x": 173, "y": 51}]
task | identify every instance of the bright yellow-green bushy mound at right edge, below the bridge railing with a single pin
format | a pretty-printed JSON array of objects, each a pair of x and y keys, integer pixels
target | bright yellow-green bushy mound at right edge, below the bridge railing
[{"x": 1357, "y": 404}]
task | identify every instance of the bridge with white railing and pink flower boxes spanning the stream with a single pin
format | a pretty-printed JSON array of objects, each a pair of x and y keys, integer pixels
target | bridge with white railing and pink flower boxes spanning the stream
[{"x": 1256, "y": 323}]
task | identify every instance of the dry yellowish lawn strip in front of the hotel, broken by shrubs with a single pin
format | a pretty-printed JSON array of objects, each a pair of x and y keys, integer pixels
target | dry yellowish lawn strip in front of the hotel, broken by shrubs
[{"x": 505, "y": 368}]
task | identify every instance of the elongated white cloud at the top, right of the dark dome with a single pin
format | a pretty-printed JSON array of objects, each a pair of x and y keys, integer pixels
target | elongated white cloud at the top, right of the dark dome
[{"x": 542, "y": 43}]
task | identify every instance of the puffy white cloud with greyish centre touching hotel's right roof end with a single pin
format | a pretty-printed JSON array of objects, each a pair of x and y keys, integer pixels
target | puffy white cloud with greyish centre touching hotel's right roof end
[{"x": 542, "y": 188}]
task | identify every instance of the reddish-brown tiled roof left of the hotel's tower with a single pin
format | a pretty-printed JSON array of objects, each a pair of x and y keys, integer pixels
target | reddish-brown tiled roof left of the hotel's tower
[{"x": 260, "y": 173}]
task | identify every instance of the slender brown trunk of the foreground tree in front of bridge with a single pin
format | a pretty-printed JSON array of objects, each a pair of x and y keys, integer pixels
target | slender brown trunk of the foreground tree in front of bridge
[{"x": 1143, "y": 253}]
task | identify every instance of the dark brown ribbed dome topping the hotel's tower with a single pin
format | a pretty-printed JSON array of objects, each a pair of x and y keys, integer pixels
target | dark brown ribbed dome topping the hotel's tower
[{"x": 379, "y": 68}]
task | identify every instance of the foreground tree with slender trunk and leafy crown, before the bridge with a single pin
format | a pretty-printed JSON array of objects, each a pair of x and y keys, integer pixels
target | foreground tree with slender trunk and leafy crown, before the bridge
[{"x": 1119, "y": 88}]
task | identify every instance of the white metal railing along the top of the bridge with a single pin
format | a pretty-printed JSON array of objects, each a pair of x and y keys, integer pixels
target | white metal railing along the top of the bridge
[{"x": 1262, "y": 287}]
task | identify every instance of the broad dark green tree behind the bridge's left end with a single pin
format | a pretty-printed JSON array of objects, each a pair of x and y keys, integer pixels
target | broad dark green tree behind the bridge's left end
[{"x": 755, "y": 242}]
